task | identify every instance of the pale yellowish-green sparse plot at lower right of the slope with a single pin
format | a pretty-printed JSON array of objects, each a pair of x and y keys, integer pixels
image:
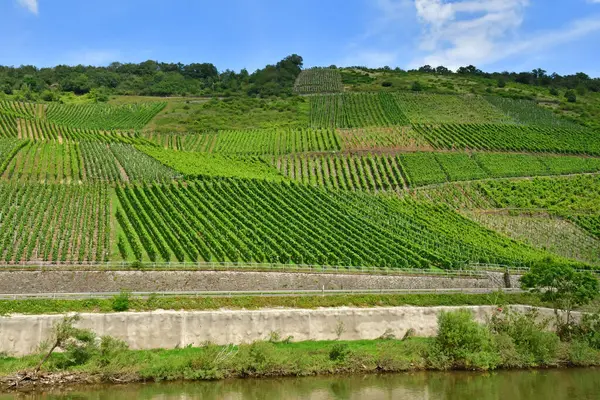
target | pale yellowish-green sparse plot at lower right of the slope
[{"x": 549, "y": 233}]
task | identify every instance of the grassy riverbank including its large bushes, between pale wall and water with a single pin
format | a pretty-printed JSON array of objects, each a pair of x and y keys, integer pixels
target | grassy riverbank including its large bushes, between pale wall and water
[{"x": 508, "y": 340}]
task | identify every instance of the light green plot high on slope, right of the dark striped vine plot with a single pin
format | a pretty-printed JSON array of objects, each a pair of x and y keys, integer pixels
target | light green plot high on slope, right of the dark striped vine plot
[{"x": 428, "y": 108}]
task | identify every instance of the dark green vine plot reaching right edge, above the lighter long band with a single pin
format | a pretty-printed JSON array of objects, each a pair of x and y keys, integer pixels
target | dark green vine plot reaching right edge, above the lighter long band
[{"x": 500, "y": 137}]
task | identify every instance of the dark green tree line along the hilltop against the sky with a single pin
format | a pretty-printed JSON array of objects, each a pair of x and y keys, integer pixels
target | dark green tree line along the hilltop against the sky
[{"x": 152, "y": 78}]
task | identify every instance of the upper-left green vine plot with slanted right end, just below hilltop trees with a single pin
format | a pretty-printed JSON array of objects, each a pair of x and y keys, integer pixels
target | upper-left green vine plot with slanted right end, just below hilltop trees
[{"x": 103, "y": 116}]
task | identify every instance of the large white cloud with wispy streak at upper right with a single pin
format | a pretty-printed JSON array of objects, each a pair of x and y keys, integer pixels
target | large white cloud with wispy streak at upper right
[{"x": 481, "y": 32}]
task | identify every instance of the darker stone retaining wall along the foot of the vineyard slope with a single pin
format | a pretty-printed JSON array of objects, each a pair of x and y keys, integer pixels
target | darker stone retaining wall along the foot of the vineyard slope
[{"x": 156, "y": 281}]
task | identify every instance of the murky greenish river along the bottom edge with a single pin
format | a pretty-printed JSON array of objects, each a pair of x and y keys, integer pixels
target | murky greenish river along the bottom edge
[{"x": 566, "y": 384}]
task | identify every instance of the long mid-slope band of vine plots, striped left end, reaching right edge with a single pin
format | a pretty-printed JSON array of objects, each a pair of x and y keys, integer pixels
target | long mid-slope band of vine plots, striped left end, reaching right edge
[{"x": 384, "y": 172}]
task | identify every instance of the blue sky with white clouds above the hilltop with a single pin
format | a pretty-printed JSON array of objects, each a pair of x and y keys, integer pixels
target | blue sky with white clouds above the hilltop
[{"x": 558, "y": 35}]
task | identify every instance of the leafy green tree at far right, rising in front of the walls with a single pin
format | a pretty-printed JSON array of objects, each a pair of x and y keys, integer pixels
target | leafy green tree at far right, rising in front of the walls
[{"x": 562, "y": 285}]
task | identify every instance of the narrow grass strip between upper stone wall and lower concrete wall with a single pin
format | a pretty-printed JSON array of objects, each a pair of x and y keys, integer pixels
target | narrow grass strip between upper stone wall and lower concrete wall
[{"x": 45, "y": 306}]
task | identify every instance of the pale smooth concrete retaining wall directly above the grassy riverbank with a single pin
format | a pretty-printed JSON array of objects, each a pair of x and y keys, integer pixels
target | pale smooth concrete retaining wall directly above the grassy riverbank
[{"x": 22, "y": 334}]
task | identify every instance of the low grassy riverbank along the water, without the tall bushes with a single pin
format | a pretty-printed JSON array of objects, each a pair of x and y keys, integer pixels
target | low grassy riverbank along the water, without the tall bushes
[{"x": 269, "y": 359}]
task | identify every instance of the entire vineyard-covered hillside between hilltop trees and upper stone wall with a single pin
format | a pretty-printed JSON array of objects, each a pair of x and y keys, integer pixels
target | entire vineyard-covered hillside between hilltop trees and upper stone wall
[{"x": 379, "y": 169}]
